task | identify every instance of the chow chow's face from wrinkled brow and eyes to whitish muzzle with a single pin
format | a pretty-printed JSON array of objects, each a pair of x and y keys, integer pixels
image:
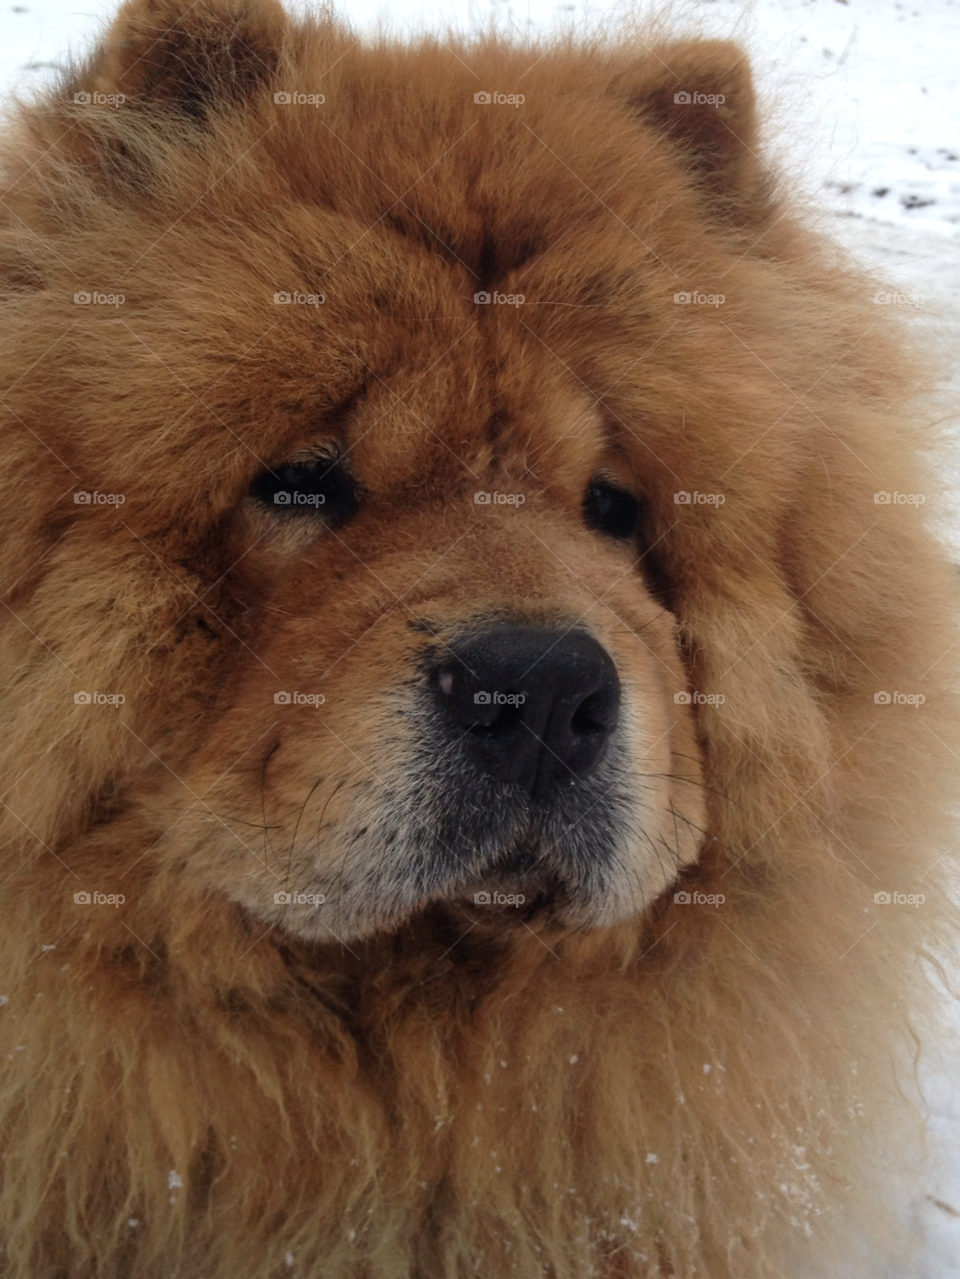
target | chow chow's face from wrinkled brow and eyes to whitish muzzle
[{"x": 462, "y": 687}]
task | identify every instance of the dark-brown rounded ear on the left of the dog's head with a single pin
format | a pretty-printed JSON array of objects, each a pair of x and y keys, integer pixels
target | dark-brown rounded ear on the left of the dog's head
[{"x": 191, "y": 58}]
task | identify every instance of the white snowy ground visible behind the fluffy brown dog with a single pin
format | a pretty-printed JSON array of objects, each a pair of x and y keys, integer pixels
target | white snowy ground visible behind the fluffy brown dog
[{"x": 865, "y": 97}]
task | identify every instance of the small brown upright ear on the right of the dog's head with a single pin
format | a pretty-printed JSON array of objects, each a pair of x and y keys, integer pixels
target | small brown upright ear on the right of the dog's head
[{"x": 700, "y": 95}]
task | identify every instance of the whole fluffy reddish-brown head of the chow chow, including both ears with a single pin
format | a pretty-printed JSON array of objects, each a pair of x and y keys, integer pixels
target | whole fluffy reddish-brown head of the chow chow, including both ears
[{"x": 405, "y": 435}]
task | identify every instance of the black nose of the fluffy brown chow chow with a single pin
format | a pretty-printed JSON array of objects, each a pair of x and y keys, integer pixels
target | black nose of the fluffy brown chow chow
[{"x": 532, "y": 705}]
